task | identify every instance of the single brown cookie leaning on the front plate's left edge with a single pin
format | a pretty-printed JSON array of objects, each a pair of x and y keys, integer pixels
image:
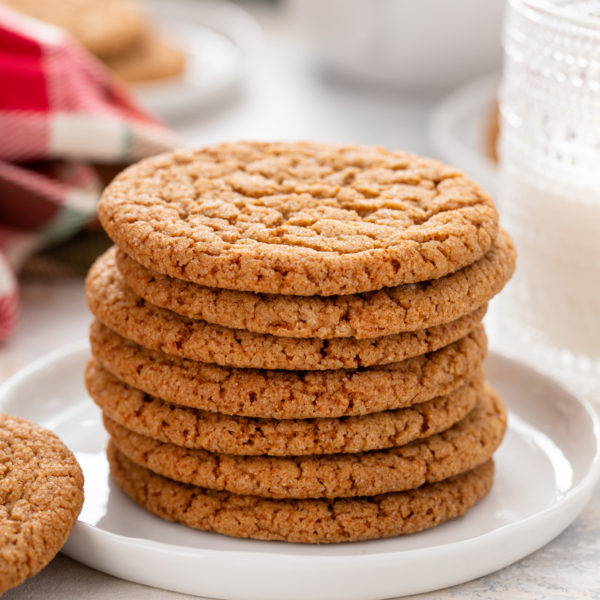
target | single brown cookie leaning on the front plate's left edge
[{"x": 41, "y": 495}]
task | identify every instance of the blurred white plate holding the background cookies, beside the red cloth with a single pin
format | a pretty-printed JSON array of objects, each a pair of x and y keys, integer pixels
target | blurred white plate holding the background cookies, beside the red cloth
[{"x": 219, "y": 39}]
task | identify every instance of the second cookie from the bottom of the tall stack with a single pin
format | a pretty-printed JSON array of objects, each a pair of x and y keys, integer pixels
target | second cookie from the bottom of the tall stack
[{"x": 466, "y": 445}]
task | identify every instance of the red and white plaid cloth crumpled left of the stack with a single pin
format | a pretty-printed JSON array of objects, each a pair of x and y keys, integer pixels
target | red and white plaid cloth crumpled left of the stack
[{"x": 60, "y": 110}]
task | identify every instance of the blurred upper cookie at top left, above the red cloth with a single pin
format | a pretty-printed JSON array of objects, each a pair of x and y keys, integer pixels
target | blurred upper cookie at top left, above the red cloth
[{"x": 104, "y": 27}]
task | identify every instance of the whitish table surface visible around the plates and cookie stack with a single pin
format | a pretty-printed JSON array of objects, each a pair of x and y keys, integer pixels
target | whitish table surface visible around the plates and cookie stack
[{"x": 285, "y": 99}]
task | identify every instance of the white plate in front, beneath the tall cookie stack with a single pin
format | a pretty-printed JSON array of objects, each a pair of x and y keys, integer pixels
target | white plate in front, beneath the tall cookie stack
[{"x": 546, "y": 471}]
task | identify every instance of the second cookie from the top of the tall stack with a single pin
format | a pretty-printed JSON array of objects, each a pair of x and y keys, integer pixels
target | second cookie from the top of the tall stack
[{"x": 372, "y": 314}]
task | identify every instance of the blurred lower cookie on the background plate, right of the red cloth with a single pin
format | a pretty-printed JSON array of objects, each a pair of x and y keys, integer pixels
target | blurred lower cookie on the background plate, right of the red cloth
[{"x": 152, "y": 56}]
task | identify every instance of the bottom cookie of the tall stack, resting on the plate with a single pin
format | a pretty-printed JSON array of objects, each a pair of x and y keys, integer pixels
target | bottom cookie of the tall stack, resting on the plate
[{"x": 302, "y": 521}]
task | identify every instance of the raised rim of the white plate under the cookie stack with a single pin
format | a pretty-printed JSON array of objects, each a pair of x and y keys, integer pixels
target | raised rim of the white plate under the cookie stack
[{"x": 583, "y": 488}]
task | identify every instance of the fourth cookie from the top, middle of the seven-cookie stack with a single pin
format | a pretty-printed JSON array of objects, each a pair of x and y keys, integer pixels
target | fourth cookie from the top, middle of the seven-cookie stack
[{"x": 290, "y": 394}]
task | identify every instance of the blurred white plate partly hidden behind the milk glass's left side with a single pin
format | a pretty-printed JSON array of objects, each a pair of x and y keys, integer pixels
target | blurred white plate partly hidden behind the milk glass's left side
[{"x": 458, "y": 129}]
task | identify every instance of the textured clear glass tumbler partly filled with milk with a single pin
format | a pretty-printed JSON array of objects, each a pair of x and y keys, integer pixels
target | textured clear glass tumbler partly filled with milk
[{"x": 550, "y": 199}]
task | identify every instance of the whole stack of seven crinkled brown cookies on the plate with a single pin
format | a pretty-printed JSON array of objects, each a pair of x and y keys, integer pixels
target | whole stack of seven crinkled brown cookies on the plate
[{"x": 288, "y": 341}]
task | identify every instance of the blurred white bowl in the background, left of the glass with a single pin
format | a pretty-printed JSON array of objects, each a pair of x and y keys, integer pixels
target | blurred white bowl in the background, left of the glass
[{"x": 408, "y": 43}]
